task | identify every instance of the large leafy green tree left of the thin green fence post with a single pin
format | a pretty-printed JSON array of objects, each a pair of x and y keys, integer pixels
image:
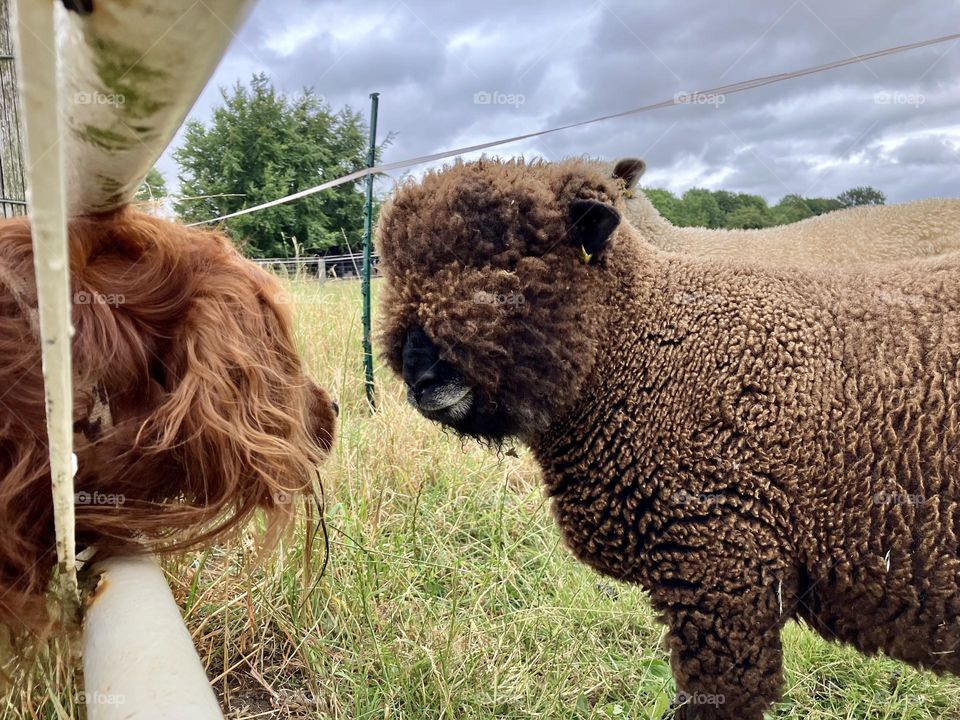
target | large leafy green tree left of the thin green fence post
[{"x": 261, "y": 145}]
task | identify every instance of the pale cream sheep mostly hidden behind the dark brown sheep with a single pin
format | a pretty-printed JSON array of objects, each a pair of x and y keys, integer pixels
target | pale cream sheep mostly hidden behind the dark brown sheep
[{"x": 869, "y": 233}]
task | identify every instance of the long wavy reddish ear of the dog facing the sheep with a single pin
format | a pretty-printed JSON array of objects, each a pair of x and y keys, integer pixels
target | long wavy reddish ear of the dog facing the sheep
[{"x": 240, "y": 409}]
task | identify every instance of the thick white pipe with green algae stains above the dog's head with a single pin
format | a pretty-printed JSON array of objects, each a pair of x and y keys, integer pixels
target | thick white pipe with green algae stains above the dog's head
[{"x": 131, "y": 70}]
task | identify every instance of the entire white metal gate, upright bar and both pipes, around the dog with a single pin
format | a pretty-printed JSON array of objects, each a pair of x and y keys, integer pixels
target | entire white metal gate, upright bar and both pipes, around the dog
[{"x": 128, "y": 74}]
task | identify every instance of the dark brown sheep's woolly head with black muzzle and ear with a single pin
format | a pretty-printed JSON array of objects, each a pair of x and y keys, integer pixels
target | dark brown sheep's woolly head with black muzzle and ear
[{"x": 492, "y": 305}]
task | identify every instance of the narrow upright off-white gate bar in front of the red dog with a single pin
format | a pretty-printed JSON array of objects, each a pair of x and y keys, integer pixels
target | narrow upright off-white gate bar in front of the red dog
[{"x": 37, "y": 70}]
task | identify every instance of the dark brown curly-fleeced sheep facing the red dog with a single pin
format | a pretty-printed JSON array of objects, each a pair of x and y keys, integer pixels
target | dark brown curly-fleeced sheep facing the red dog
[{"x": 750, "y": 444}]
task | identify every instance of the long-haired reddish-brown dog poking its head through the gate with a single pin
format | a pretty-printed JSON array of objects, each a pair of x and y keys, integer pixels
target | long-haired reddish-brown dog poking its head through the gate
[{"x": 191, "y": 405}]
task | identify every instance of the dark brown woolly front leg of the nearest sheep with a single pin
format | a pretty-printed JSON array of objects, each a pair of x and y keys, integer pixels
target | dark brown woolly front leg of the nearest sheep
[{"x": 725, "y": 625}]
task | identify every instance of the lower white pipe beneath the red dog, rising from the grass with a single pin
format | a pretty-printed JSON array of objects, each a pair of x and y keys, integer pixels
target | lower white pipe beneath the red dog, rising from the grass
[{"x": 139, "y": 662}]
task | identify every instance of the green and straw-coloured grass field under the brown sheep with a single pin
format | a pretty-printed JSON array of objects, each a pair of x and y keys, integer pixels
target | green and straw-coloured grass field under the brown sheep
[{"x": 448, "y": 593}]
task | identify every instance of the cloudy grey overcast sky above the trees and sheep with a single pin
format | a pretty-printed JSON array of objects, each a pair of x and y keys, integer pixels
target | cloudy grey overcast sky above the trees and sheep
[{"x": 452, "y": 74}]
